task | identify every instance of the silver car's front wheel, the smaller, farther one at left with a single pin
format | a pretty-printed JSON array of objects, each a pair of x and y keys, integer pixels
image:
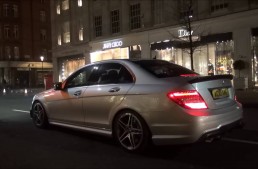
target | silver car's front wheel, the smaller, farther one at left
[{"x": 39, "y": 115}]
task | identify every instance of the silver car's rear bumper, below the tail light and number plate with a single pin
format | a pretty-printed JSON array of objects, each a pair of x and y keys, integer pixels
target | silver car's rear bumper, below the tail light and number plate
[{"x": 198, "y": 128}]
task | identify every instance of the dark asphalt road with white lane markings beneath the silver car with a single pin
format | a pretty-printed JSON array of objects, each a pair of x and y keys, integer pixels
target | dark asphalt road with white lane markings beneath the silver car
[{"x": 23, "y": 146}]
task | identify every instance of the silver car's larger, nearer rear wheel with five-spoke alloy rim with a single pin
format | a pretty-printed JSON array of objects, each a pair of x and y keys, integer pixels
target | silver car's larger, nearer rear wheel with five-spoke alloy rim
[{"x": 131, "y": 131}]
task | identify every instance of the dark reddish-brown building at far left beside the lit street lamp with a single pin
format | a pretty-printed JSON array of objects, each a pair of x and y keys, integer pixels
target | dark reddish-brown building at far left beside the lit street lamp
[{"x": 25, "y": 33}]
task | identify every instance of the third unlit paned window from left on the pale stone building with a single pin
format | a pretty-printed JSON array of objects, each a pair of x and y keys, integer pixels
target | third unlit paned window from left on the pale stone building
[{"x": 135, "y": 16}]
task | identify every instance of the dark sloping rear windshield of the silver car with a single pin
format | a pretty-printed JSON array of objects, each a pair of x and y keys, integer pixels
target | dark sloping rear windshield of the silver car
[{"x": 164, "y": 69}]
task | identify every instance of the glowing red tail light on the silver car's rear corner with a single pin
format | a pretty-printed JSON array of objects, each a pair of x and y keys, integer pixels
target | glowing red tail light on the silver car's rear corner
[{"x": 189, "y": 99}]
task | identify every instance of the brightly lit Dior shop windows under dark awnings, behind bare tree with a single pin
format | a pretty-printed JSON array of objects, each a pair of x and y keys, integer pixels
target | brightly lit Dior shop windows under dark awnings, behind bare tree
[{"x": 213, "y": 54}]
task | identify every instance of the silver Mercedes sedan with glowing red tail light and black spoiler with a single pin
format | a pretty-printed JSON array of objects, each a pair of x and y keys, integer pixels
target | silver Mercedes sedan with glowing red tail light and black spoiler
[{"x": 139, "y": 102}]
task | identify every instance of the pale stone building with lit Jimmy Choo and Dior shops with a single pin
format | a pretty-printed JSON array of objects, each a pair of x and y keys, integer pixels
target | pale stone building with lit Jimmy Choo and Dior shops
[{"x": 222, "y": 32}]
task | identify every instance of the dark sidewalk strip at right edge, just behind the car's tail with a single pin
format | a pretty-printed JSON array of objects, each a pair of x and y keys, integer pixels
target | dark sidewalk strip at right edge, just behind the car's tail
[{"x": 249, "y": 97}]
